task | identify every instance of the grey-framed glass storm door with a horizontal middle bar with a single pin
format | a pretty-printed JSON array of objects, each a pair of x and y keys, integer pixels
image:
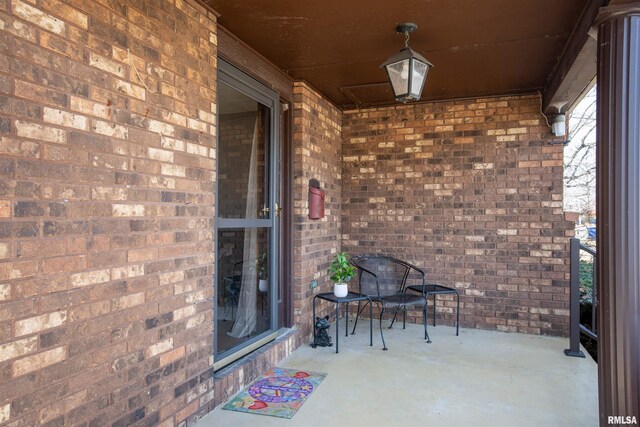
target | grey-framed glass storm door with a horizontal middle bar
[{"x": 246, "y": 227}]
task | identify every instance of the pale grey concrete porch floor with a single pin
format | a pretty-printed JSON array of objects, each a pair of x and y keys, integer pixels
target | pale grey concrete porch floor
[{"x": 480, "y": 378}]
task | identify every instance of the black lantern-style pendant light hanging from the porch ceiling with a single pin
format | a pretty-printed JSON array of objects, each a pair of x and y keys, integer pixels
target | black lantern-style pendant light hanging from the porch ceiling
[{"x": 407, "y": 70}]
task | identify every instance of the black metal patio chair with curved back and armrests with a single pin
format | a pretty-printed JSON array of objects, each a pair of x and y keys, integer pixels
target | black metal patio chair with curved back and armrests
[{"x": 384, "y": 280}]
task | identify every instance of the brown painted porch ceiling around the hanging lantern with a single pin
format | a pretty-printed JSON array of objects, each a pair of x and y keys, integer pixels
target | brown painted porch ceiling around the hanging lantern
[{"x": 479, "y": 47}]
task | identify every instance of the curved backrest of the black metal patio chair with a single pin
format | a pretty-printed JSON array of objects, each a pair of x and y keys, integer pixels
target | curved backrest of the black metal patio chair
[{"x": 381, "y": 275}]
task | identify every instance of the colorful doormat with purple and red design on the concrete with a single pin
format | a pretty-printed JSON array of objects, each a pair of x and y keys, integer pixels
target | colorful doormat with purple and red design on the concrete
[{"x": 278, "y": 392}]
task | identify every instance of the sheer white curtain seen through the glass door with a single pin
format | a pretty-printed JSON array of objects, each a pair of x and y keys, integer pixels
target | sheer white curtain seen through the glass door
[{"x": 246, "y": 316}]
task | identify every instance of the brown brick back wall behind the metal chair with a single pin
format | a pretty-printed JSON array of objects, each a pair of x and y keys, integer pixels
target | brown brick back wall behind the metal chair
[{"x": 472, "y": 192}]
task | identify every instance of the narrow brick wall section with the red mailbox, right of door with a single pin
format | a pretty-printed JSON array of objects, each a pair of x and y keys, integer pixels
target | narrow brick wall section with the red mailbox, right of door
[{"x": 317, "y": 141}]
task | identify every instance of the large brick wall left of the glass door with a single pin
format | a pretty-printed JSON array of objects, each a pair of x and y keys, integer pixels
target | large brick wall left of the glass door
[{"x": 106, "y": 211}]
